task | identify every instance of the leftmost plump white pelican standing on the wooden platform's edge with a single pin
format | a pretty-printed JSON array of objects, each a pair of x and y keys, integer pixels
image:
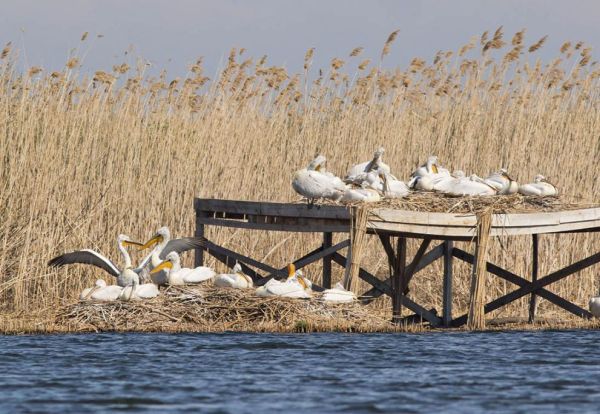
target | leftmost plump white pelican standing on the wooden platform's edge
[{"x": 313, "y": 184}]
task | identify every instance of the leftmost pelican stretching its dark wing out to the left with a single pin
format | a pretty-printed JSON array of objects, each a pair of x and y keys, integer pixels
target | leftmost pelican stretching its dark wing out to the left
[{"x": 124, "y": 277}]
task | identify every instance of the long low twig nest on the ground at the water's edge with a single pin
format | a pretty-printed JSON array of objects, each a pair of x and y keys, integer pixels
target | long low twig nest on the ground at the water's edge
[{"x": 210, "y": 309}]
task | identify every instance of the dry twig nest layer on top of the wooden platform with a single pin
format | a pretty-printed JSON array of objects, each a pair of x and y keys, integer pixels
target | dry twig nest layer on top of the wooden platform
[{"x": 515, "y": 203}]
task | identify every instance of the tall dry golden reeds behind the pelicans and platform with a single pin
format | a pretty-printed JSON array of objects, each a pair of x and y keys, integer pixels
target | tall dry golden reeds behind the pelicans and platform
[{"x": 88, "y": 156}]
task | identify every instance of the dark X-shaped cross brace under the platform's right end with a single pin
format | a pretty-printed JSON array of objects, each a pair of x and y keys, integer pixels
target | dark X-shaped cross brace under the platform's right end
[{"x": 528, "y": 287}]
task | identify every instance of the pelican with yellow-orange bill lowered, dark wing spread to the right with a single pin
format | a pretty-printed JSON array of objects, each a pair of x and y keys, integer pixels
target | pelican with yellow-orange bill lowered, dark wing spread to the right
[{"x": 163, "y": 245}]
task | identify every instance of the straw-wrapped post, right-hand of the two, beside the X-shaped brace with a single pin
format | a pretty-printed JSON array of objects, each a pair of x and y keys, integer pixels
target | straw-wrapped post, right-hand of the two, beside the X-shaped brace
[{"x": 476, "y": 317}]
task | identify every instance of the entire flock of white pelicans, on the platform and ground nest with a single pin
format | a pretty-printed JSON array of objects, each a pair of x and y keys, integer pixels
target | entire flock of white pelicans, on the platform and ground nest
[{"x": 368, "y": 181}]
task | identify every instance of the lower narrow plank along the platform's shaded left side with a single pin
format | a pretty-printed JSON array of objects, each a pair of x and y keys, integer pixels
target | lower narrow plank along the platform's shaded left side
[{"x": 315, "y": 226}]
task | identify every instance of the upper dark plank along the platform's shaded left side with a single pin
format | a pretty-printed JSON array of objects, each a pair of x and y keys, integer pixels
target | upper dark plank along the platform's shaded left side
[{"x": 272, "y": 209}]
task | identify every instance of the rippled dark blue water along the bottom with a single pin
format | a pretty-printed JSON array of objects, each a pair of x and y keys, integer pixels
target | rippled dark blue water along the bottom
[{"x": 246, "y": 373}]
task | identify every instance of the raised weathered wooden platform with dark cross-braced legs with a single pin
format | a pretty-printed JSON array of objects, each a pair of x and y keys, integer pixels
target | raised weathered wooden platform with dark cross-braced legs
[{"x": 394, "y": 227}]
